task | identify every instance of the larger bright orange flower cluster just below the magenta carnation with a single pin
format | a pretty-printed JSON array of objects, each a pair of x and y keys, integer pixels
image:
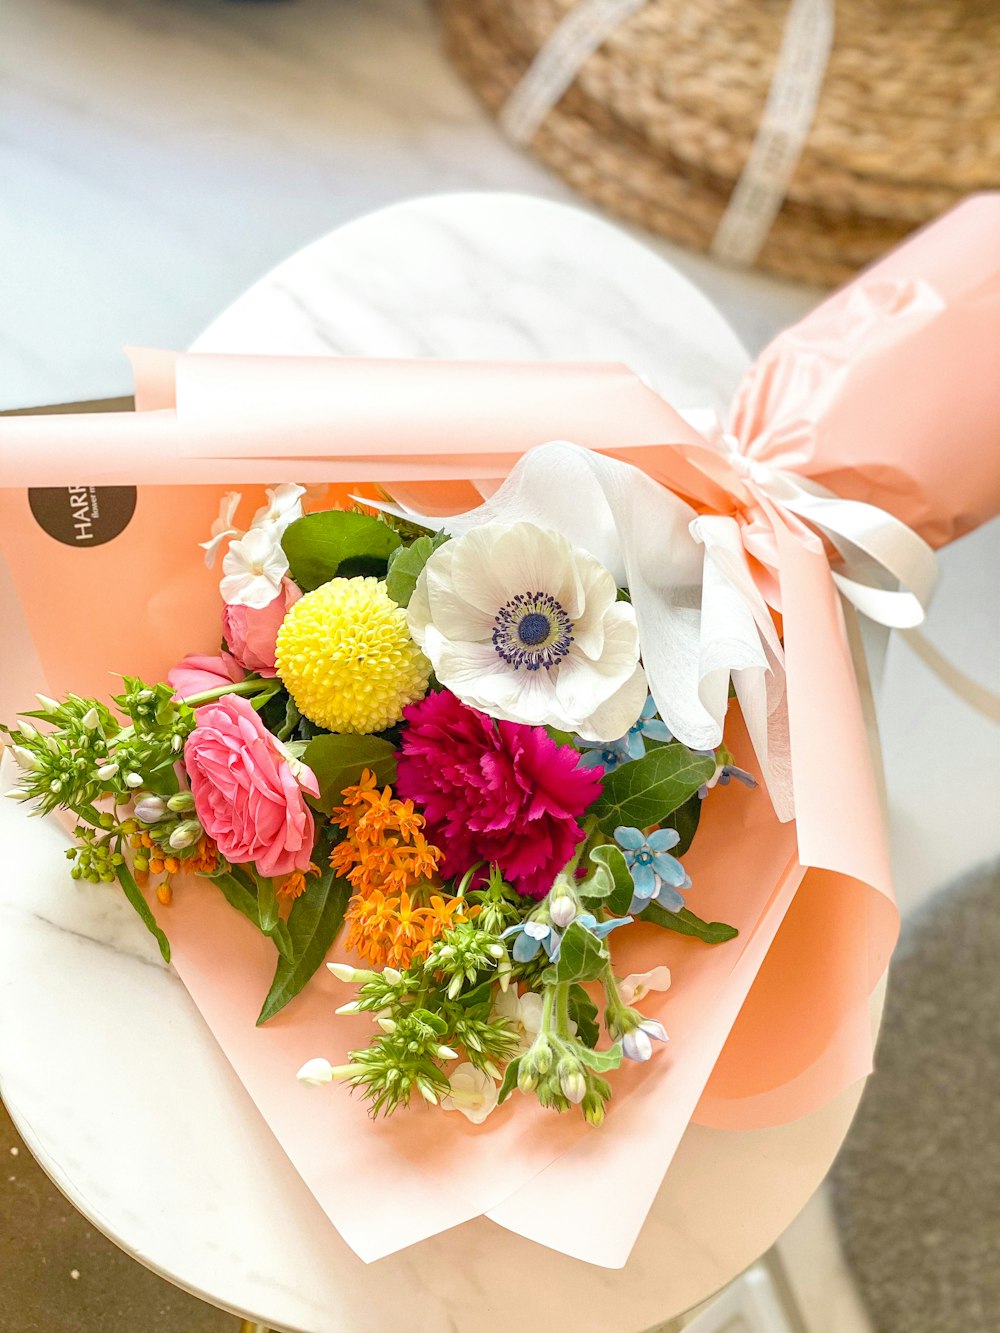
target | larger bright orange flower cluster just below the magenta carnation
[{"x": 393, "y": 918}]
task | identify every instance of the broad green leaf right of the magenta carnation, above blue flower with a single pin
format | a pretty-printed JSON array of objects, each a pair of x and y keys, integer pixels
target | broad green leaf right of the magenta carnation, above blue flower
[{"x": 649, "y": 790}]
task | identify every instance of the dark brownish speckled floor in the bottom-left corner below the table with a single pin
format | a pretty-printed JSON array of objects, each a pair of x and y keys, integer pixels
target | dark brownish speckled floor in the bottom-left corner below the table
[{"x": 58, "y": 1275}]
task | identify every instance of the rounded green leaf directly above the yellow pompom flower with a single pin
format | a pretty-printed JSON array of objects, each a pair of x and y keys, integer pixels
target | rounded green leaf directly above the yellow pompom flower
[{"x": 337, "y": 543}]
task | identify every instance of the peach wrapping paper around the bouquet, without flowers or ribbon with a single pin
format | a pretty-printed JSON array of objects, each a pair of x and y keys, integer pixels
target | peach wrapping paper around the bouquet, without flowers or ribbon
[{"x": 875, "y": 395}]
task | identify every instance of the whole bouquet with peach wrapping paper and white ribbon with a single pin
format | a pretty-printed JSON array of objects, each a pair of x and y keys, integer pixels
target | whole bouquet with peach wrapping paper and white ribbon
[{"x": 537, "y": 712}]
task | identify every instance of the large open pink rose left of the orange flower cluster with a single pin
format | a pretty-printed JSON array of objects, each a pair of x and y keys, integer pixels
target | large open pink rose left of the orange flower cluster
[{"x": 246, "y": 794}]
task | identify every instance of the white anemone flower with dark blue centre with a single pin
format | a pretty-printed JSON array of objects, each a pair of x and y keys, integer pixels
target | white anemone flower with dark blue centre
[{"x": 527, "y": 629}]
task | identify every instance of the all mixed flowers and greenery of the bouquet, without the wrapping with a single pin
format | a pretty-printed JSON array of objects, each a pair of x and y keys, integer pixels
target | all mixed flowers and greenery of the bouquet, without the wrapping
[{"x": 441, "y": 747}]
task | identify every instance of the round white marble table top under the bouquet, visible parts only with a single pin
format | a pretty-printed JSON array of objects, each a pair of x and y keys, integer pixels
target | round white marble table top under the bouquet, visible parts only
[{"x": 110, "y": 1072}]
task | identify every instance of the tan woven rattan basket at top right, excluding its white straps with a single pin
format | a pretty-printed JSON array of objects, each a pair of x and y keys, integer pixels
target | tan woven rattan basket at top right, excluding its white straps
[{"x": 659, "y": 122}]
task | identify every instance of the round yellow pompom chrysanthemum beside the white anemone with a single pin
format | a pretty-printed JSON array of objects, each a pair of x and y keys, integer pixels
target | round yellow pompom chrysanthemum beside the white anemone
[{"x": 347, "y": 659}]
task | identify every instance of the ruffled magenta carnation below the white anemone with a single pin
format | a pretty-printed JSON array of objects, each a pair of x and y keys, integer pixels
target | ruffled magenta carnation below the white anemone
[{"x": 494, "y": 791}]
